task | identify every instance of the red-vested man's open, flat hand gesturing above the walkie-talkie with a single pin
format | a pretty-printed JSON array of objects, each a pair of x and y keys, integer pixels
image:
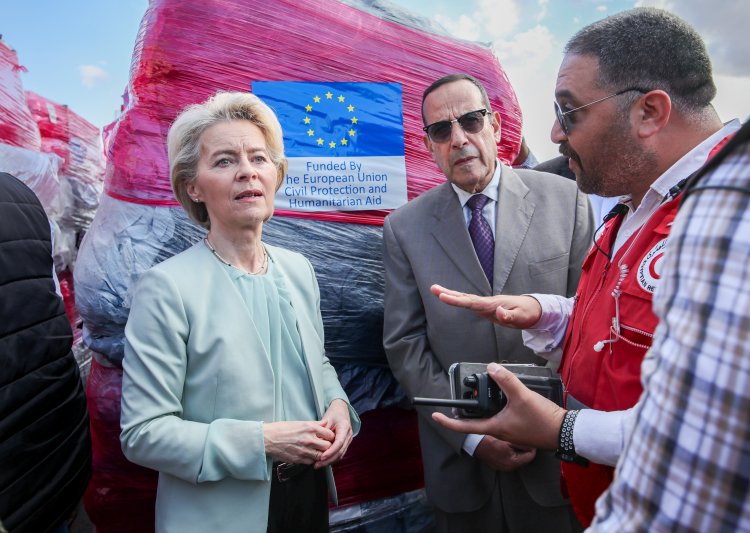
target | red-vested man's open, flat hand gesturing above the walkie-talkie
[{"x": 518, "y": 312}]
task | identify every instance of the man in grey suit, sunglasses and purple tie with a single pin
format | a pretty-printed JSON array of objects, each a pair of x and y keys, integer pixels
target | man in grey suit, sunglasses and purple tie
[{"x": 529, "y": 233}]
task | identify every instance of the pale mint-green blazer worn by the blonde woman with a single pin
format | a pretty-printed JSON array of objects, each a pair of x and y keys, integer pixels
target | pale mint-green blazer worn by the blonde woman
[{"x": 198, "y": 385}]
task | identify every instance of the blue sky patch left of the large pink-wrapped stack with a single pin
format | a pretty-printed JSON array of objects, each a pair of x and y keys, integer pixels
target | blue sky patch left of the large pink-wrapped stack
[{"x": 77, "y": 52}]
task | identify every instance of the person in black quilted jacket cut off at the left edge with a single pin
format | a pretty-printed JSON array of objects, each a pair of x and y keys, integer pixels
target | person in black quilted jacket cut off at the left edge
[{"x": 45, "y": 448}]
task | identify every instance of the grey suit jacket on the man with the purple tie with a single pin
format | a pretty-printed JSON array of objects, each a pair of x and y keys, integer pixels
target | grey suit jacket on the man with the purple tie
[{"x": 544, "y": 229}]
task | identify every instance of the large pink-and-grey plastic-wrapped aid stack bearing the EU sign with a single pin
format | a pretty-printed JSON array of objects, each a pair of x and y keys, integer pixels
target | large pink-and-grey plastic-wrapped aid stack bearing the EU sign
[{"x": 346, "y": 82}]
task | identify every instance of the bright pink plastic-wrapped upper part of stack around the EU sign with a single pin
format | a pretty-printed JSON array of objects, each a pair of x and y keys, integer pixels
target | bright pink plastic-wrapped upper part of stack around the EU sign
[{"x": 187, "y": 50}]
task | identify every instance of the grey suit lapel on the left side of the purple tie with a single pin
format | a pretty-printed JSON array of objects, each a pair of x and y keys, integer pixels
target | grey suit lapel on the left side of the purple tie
[{"x": 451, "y": 233}]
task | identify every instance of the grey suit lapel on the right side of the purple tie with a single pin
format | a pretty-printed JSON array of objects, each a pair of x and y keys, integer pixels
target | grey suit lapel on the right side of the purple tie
[{"x": 514, "y": 213}]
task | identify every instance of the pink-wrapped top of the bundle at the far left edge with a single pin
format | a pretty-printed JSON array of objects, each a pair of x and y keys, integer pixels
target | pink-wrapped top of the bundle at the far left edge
[{"x": 17, "y": 127}]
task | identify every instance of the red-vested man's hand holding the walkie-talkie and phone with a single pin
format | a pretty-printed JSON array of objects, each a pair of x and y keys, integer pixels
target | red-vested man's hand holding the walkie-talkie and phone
[{"x": 528, "y": 419}]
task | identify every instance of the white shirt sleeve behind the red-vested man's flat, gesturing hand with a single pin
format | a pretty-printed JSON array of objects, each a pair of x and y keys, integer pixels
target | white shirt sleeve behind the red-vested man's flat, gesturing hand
[{"x": 545, "y": 338}]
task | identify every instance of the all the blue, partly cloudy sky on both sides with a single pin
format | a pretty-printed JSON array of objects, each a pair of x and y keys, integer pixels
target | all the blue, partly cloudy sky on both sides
[{"x": 78, "y": 52}]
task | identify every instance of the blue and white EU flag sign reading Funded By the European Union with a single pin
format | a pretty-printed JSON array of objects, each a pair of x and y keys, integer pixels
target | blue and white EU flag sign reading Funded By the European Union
[{"x": 344, "y": 142}]
